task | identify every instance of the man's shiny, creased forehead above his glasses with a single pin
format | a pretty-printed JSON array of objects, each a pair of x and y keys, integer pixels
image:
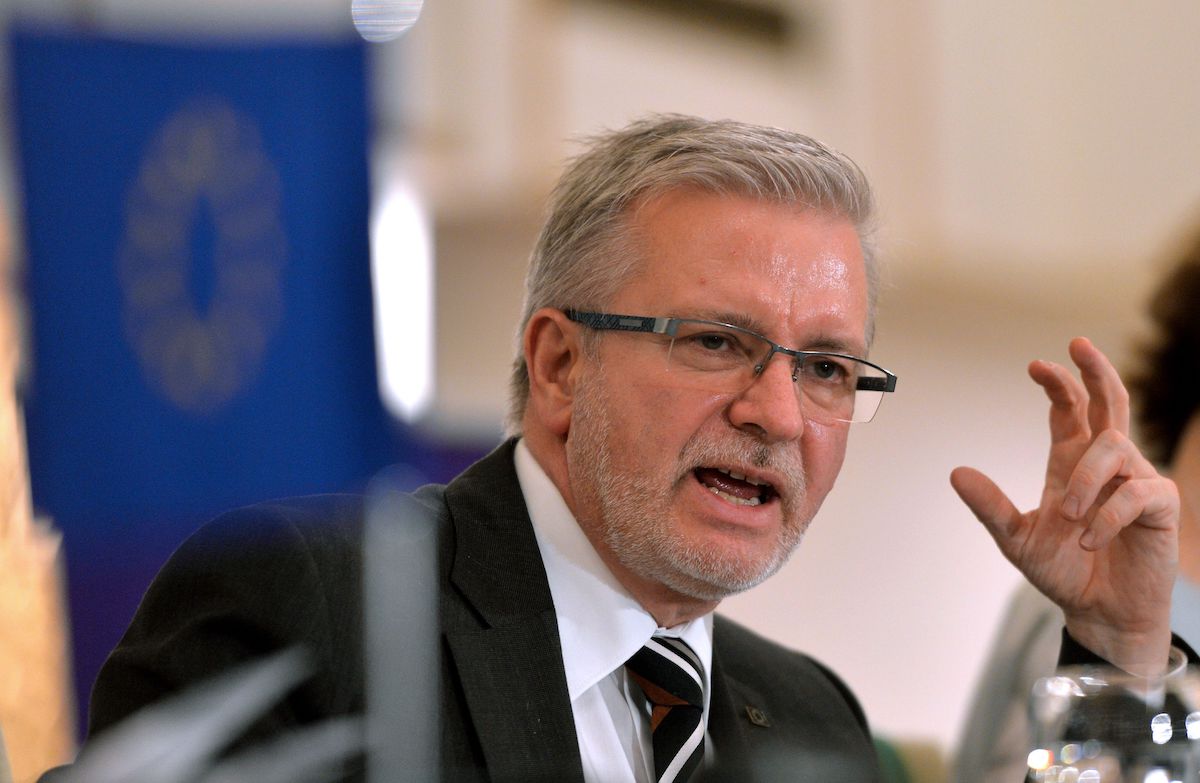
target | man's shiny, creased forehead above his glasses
[{"x": 788, "y": 272}]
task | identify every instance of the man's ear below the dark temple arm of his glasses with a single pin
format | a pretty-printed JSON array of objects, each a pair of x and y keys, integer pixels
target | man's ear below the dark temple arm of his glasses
[{"x": 554, "y": 357}]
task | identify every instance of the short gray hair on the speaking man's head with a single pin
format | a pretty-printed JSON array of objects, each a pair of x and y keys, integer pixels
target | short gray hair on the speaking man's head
[{"x": 586, "y": 252}]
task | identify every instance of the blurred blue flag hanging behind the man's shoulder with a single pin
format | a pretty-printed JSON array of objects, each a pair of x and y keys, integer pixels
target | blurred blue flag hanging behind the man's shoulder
[{"x": 199, "y": 283}]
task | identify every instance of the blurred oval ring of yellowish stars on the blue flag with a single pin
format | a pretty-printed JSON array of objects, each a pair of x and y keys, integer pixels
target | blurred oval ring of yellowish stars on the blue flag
[{"x": 201, "y": 256}]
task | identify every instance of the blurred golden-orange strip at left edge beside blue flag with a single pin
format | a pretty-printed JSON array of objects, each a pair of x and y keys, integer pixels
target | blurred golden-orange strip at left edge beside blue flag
[{"x": 37, "y": 714}]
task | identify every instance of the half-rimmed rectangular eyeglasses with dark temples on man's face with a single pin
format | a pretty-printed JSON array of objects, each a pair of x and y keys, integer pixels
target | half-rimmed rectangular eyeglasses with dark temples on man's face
[{"x": 721, "y": 357}]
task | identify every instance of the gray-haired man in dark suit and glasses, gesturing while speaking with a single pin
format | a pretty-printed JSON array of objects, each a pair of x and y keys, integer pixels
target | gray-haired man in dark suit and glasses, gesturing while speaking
[{"x": 663, "y": 457}]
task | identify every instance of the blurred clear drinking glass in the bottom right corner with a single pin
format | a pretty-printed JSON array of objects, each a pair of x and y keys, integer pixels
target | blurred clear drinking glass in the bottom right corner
[{"x": 1097, "y": 725}]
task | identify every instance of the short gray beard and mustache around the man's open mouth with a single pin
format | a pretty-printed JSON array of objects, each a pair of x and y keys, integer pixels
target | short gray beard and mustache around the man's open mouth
[{"x": 644, "y": 543}]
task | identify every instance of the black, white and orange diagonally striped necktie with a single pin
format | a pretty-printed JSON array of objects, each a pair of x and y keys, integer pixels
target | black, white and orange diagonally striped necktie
[{"x": 674, "y": 682}]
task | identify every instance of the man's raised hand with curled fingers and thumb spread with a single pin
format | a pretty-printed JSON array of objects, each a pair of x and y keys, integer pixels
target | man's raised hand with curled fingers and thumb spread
[{"x": 1103, "y": 543}]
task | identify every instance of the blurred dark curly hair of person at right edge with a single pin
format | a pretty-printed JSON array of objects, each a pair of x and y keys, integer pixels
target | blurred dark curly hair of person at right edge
[{"x": 1165, "y": 385}]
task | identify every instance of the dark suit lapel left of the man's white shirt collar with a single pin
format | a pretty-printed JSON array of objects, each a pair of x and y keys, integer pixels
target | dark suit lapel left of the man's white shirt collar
[{"x": 511, "y": 665}]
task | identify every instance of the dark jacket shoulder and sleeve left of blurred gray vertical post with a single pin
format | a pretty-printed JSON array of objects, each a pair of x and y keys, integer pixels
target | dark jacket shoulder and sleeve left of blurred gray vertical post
[{"x": 279, "y": 575}]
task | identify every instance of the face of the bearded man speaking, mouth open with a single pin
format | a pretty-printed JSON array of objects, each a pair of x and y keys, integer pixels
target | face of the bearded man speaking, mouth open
[{"x": 706, "y": 493}]
